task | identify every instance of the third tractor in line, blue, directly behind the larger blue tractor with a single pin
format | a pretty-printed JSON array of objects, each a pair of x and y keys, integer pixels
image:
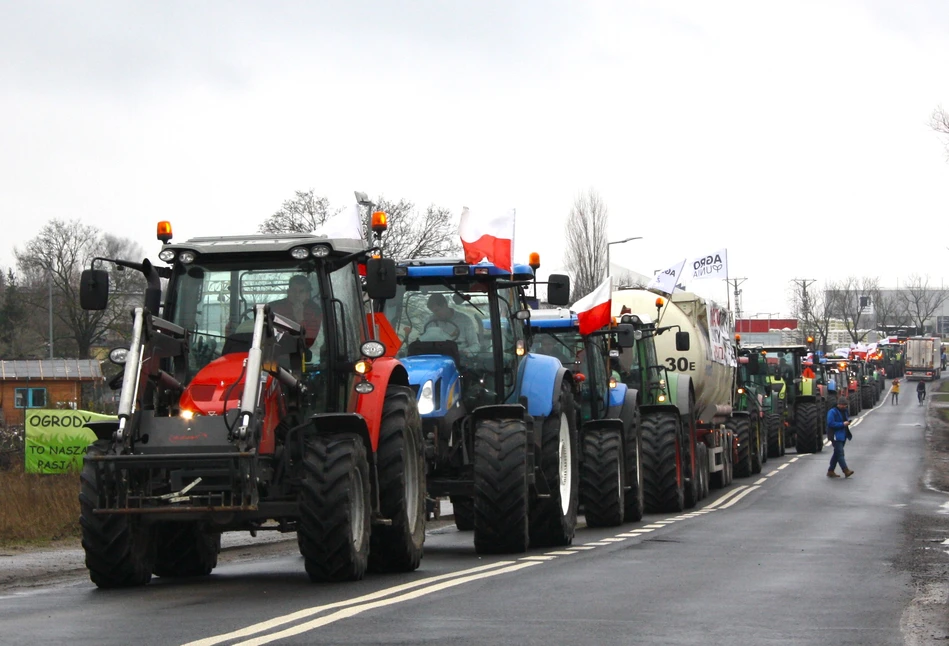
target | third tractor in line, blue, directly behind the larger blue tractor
[{"x": 611, "y": 477}]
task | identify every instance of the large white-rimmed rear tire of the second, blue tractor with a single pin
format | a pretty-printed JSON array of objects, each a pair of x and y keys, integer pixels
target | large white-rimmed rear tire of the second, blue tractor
[{"x": 553, "y": 520}]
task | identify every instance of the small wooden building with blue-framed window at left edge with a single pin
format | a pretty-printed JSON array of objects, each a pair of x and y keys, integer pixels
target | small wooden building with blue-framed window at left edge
[{"x": 44, "y": 383}]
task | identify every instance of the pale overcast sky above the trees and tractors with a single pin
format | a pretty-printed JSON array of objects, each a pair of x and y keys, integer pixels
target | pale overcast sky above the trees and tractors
[{"x": 793, "y": 134}]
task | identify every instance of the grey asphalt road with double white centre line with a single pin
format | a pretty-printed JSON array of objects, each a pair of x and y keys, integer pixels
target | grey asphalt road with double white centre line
[{"x": 787, "y": 557}]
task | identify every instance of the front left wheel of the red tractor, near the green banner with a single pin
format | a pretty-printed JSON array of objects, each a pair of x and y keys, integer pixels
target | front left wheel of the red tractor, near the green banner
[{"x": 120, "y": 550}]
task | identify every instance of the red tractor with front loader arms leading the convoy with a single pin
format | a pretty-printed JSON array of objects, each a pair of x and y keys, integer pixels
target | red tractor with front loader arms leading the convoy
[{"x": 233, "y": 417}]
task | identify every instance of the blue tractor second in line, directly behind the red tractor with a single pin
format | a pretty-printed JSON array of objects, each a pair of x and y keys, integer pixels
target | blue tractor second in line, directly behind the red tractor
[{"x": 499, "y": 421}]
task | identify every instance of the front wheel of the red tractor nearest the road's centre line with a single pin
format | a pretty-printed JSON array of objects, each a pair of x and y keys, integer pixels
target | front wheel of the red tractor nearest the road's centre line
[{"x": 333, "y": 531}]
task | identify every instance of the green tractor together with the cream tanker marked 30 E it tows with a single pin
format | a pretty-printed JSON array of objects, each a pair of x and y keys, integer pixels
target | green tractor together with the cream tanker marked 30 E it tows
[{"x": 694, "y": 370}]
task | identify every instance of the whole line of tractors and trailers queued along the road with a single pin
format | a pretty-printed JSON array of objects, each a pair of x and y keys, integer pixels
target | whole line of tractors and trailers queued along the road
[{"x": 423, "y": 379}]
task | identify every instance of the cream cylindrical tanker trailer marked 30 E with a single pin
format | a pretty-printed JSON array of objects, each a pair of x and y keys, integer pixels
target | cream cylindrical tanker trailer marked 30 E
[{"x": 710, "y": 365}]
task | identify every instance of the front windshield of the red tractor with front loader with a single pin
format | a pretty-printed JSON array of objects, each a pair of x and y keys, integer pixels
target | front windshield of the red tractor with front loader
[{"x": 216, "y": 305}]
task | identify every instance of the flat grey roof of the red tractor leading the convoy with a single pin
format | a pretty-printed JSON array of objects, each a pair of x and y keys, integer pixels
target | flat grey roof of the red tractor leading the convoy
[{"x": 265, "y": 244}]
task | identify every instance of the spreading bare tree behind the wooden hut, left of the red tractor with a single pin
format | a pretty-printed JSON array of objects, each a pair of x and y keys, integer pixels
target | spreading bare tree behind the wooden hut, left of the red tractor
[{"x": 50, "y": 265}]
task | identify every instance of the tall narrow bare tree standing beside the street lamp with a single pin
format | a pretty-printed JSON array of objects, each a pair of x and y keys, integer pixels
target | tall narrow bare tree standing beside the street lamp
[{"x": 586, "y": 234}]
